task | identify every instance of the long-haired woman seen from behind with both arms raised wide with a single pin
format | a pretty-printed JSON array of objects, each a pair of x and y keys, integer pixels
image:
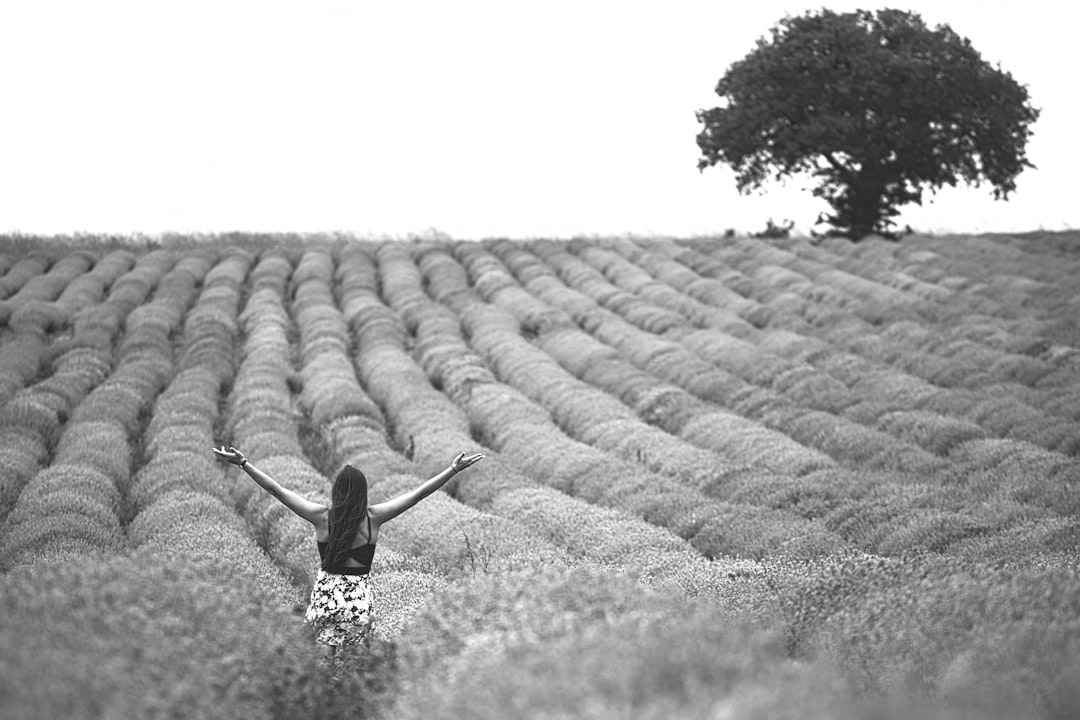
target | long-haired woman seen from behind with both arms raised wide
[{"x": 346, "y": 533}]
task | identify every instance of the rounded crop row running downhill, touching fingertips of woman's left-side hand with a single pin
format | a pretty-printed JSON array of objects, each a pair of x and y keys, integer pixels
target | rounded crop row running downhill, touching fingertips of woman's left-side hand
[{"x": 181, "y": 500}]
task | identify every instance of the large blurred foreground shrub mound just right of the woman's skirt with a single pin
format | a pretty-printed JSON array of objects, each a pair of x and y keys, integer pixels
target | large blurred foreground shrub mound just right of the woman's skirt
[{"x": 585, "y": 644}]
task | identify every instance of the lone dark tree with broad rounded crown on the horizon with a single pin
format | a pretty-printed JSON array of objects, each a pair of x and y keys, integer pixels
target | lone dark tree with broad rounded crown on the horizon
[{"x": 876, "y": 105}]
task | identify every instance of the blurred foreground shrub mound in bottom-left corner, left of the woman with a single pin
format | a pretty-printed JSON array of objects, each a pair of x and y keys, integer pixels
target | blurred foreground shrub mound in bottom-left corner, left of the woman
[{"x": 154, "y": 637}]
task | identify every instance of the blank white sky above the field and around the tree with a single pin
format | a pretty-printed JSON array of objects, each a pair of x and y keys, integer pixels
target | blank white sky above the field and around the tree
[{"x": 475, "y": 118}]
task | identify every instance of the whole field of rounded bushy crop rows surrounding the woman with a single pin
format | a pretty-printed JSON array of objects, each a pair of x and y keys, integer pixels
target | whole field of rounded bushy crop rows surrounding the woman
[{"x": 725, "y": 478}]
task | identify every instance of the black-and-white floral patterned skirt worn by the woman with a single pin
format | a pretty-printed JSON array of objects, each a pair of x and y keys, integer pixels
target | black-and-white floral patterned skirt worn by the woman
[{"x": 341, "y": 609}]
